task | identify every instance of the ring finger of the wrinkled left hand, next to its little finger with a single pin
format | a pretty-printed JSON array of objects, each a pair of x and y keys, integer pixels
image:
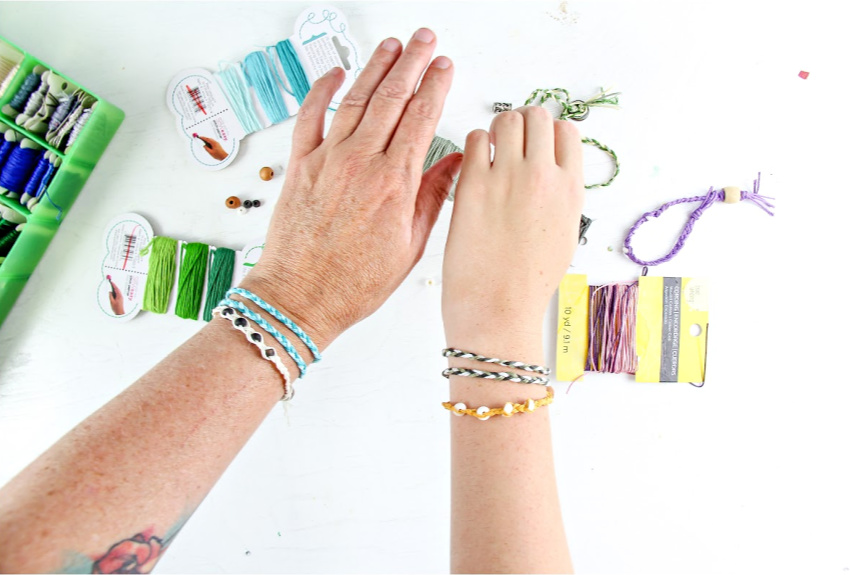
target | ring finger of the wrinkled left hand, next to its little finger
[{"x": 354, "y": 103}]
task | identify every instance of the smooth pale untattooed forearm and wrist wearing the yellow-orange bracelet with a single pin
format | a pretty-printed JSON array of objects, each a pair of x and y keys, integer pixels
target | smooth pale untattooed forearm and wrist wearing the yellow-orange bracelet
[{"x": 505, "y": 511}]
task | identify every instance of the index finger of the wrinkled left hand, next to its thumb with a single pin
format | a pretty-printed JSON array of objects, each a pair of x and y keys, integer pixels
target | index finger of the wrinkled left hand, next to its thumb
[{"x": 419, "y": 120}]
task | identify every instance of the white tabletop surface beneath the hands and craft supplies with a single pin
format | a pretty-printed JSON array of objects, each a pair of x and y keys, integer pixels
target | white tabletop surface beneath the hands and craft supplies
[{"x": 748, "y": 474}]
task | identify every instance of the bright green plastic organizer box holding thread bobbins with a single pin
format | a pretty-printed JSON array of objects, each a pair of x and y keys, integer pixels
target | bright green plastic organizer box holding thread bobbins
[{"x": 77, "y": 164}]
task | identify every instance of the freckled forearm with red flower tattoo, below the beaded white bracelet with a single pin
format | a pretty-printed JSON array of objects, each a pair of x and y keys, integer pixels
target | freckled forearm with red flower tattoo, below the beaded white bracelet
[{"x": 138, "y": 467}]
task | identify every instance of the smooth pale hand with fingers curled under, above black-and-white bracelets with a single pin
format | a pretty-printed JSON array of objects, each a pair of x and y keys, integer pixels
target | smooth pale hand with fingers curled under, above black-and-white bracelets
[{"x": 514, "y": 227}]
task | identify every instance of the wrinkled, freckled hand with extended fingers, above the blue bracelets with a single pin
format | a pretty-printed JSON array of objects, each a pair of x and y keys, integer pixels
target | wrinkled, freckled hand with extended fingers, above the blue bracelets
[{"x": 356, "y": 209}]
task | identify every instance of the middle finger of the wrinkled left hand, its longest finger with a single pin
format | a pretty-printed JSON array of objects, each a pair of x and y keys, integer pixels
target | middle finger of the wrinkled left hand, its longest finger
[{"x": 390, "y": 98}]
